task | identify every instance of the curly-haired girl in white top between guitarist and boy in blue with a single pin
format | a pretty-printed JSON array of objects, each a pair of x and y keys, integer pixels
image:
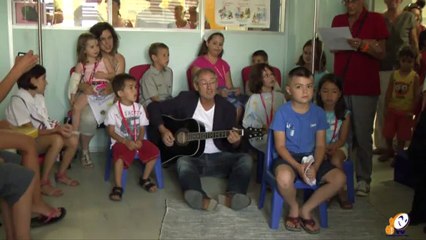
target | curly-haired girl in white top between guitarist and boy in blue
[{"x": 263, "y": 103}]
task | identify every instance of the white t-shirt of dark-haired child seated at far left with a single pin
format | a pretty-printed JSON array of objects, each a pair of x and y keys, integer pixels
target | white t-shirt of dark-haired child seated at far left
[{"x": 24, "y": 108}]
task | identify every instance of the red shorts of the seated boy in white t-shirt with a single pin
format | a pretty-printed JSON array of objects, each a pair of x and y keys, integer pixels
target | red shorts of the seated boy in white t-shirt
[{"x": 146, "y": 153}]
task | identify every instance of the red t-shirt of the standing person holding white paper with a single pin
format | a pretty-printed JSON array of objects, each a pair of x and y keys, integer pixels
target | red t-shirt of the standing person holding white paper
[{"x": 362, "y": 74}]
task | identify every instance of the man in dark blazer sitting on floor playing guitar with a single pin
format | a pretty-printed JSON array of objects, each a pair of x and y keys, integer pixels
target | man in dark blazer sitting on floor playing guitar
[{"x": 218, "y": 157}]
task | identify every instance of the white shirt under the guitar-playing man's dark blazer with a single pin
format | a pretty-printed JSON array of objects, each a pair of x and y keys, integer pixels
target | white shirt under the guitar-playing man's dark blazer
[{"x": 206, "y": 117}]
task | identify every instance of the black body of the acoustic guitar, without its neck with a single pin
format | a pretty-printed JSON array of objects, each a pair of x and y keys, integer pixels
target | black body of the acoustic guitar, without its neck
[{"x": 181, "y": 147}]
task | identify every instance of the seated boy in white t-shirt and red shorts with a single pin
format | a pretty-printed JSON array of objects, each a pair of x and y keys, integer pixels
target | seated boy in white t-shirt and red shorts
[{"x": 126, "y": 121}]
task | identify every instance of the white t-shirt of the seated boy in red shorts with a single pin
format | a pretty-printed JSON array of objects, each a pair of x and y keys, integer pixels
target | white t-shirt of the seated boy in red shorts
[{"x": 134, "y": 116}]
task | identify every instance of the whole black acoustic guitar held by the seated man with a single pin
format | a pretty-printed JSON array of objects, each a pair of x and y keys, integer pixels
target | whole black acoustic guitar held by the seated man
[{"x": 190, "y": 136}]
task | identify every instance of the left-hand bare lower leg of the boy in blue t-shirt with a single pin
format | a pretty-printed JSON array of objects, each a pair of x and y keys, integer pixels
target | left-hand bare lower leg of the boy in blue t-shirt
[{"x": 285, "y": 181}]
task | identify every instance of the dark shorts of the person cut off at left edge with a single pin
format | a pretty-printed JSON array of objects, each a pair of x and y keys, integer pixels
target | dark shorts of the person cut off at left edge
[{"x": 14, "y": 181}]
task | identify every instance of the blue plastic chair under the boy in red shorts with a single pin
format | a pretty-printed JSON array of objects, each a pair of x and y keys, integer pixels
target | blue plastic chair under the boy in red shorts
[{"x": 157, "y": 169}]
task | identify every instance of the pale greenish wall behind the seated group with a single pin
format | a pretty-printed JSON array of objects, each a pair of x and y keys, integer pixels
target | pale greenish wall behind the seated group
[{"x": 59, "y": 49}]
